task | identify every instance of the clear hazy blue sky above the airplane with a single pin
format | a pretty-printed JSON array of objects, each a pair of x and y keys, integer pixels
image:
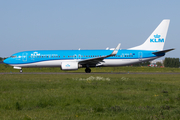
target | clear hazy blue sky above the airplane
[{"x": 86, "y": 24}]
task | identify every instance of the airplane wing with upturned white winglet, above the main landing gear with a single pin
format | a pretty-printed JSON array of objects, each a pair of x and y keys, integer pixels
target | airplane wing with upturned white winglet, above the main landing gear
[{"x": 99, "y": 59}]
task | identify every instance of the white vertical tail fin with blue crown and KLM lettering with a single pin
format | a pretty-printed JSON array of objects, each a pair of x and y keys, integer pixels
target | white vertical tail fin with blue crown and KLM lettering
[{"x": 157, "y": 39}]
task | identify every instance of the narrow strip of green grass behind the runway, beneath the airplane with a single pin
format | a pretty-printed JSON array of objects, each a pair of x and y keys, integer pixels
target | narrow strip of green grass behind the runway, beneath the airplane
[{"x": 7, "y": 68}]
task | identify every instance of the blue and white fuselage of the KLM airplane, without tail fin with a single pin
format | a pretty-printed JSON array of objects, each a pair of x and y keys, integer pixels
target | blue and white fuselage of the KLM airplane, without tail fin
[{"x": 27, "y": 58}]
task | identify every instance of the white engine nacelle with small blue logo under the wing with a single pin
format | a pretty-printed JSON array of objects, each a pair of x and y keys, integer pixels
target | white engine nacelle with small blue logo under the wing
[{"x": 69, "y": 65}]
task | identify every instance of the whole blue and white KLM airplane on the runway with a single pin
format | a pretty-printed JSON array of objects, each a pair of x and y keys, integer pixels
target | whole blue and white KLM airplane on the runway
[{"x": 151, "y": 49}]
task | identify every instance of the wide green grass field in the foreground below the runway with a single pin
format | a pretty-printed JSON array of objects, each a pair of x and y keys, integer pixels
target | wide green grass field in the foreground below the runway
[{"x": 89, "y": 96}]
